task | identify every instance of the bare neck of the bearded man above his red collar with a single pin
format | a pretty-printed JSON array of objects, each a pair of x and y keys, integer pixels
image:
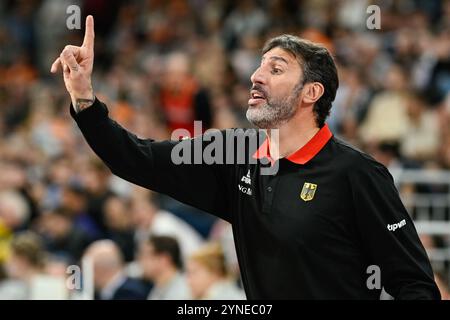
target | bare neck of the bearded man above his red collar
[{"x": 292, "y": 136}]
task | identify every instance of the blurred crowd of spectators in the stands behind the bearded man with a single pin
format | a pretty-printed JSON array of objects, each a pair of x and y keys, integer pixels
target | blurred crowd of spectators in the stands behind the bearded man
[{"x": 160, "y": 65}]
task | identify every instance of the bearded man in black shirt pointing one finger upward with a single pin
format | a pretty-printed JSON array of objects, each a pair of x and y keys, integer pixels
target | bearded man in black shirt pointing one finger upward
[{"x": 328, "y": 223}]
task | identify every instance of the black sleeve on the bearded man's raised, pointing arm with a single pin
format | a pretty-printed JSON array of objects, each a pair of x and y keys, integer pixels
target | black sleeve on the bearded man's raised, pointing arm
[{"x": 148, "y": 163}]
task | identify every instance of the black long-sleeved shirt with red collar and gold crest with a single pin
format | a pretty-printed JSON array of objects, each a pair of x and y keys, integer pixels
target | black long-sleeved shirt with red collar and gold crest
[{"x": 320, "y": 228}]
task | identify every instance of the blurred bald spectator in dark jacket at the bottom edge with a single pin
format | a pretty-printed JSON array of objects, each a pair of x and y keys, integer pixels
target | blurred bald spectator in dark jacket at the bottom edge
[{"x": 110, "y": 280}]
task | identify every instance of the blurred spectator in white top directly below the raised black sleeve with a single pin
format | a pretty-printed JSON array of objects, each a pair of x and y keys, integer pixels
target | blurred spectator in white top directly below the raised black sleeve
[{"x": 150, "y": 220}]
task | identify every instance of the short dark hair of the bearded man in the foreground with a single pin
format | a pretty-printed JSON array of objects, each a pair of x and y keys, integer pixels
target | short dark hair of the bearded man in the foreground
[{"x": 317, "y": 65}]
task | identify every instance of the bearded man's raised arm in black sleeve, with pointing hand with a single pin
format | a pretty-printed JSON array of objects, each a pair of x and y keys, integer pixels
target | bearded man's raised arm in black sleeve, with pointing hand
[{"x": 143, "y": 162}]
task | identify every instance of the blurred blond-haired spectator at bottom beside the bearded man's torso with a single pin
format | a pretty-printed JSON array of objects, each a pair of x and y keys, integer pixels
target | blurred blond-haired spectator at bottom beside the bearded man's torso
[{"x": 207, "y": 276}]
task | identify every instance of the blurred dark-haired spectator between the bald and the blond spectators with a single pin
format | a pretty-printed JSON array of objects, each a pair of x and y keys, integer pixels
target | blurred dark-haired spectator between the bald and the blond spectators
[{"x": 161, "y": 262}]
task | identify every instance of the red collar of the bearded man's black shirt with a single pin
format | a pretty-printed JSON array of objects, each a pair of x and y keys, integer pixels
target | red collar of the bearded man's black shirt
[{"x": 305, "y": 153}]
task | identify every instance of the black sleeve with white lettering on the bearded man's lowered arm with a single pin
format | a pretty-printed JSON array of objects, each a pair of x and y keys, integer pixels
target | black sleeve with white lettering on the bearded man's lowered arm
[{"x": 405, "y": 269}]
